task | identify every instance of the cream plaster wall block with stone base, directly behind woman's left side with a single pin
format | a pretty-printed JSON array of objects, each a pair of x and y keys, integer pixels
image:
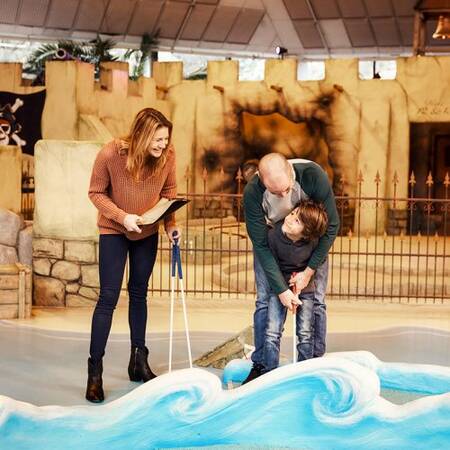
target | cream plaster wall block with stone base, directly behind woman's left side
[{"x": 65, "y": 241}]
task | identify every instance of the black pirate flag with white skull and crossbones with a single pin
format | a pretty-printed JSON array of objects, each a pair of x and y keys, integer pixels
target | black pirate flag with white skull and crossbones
[{"x": 20, "y": 119}]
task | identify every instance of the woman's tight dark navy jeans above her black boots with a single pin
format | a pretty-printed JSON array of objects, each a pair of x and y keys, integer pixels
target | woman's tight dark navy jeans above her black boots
[{"x": 113, "y": 251}]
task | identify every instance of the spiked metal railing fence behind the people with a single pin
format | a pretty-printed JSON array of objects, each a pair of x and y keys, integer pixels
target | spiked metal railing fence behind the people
[{"x": 404, "y": 260}]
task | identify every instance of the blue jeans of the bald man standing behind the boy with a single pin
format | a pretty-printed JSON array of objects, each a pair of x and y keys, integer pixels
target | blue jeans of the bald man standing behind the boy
[{"x": 260, "y": 316}]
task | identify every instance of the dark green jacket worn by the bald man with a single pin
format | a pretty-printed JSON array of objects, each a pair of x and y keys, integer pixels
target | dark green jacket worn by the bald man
[{"x": 314, "y": 182}]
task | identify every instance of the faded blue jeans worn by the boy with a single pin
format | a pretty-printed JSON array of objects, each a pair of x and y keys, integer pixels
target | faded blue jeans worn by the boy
[{"x": 304, "y": 330}]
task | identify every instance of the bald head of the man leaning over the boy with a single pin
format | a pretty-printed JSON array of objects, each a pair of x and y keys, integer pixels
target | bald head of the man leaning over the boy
[{"x": 276, "y": 174}]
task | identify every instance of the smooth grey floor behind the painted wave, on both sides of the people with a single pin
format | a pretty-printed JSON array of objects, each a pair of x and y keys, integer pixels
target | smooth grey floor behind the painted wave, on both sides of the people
[{"x": 48, "y": 367}]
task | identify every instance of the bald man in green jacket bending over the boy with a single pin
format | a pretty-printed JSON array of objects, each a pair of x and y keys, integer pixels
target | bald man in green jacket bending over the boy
[{"x": 270, "y": 195}]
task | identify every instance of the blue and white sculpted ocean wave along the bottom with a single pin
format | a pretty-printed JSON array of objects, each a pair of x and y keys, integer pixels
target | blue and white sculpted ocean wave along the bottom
[{"x": 325, "y": 403}]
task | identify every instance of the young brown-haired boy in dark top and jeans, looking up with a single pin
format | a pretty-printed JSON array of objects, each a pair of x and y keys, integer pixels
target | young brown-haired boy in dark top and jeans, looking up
[{"x": 292, "y": 242}]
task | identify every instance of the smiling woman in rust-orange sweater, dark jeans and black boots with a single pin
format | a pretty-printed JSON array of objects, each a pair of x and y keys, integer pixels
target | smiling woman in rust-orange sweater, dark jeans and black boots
[{"x": 129, "y": 177}]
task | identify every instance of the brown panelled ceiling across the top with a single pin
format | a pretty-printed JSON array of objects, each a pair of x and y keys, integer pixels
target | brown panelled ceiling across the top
[{"x": 347, "y": 26}]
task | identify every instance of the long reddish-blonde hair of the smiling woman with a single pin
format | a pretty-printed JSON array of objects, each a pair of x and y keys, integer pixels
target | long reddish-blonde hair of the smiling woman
[{"x": 139, "y": 139}]
